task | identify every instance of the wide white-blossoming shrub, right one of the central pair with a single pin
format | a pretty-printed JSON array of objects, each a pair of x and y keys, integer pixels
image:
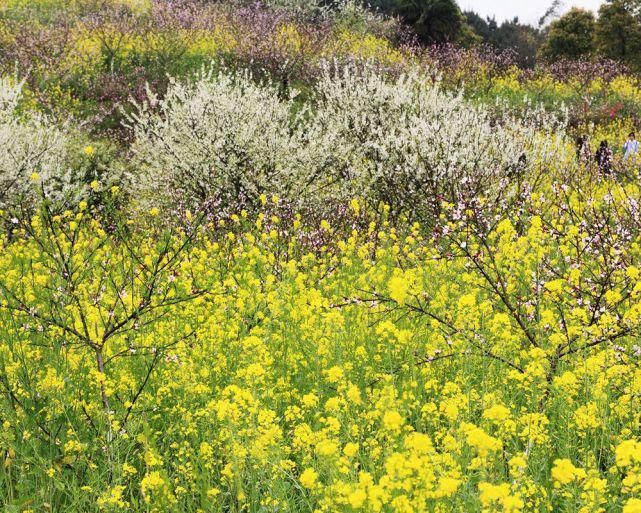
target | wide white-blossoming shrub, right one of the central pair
[{"x": 409, "y": 144}]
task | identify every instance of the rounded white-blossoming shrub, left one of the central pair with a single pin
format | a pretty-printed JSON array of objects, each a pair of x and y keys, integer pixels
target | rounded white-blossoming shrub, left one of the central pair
[{"x": 222, "y": 136}]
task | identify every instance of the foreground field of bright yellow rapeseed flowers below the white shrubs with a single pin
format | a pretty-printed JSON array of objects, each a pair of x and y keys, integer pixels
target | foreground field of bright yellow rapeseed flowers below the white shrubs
[{"x": 231, "y": 364}]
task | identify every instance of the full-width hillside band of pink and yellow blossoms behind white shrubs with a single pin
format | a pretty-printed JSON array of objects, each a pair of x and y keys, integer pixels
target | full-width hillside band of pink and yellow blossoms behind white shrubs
[{"x": 88, "y": 58}]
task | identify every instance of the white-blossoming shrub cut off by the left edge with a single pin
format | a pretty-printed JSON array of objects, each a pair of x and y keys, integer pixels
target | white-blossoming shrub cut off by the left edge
[{"x": 32, "y": 153}]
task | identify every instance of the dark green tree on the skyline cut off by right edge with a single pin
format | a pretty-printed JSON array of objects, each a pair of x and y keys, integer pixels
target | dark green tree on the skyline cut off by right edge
[{"x": 618, "y": 31}]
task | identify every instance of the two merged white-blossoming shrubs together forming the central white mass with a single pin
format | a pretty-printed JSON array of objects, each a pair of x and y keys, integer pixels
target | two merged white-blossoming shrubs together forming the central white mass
[{"x": 403, "y": 141}]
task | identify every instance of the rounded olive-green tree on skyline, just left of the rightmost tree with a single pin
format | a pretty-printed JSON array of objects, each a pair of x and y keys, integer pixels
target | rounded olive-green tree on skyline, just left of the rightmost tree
[{"x": 571, "y": 36}]
